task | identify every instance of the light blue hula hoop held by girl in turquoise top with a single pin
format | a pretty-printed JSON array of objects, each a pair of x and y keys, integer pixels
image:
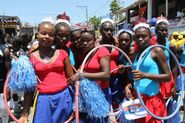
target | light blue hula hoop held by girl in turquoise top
[{"x": 180, "y": 93}]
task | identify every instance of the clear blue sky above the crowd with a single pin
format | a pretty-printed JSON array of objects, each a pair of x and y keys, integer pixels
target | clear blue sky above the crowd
[{"x": 33, "y": 11}]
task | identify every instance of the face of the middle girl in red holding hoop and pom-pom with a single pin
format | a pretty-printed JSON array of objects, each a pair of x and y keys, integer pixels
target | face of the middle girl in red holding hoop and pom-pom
[{"x": 87, "y": 41}]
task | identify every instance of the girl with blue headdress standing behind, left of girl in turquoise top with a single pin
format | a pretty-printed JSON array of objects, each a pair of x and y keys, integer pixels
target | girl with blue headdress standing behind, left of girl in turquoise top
[{"x": 125, "y": 38}]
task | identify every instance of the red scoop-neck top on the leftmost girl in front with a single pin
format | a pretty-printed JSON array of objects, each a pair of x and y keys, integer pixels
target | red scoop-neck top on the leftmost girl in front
[{"x": 51, "y": 75}]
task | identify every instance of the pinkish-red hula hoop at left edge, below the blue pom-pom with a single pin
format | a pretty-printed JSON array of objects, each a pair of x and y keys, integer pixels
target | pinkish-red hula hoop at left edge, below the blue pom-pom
[{"x": 5, "y": 100}]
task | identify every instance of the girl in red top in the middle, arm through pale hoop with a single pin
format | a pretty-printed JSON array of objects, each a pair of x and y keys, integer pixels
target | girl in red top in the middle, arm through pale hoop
[{"x": 96, "y": 68}]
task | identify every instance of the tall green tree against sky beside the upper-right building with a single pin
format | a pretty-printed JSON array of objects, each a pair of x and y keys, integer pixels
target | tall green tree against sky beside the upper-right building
[{"x": 114, "y": 9}]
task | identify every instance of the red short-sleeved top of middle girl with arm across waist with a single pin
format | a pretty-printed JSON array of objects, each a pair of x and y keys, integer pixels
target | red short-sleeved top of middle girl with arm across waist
[{"x": 93, "y": 65}]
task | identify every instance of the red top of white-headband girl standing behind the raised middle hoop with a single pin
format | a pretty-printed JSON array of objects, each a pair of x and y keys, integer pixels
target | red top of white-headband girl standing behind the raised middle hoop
[{"x": 113, "y": 61}]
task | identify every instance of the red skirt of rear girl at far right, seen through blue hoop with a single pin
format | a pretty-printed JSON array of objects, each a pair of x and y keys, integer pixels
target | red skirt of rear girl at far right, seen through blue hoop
[{"x": 166, "y": 87}]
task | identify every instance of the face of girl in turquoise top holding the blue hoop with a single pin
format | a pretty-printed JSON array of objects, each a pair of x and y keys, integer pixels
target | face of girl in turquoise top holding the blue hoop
[{"x": 142, "y": 38}]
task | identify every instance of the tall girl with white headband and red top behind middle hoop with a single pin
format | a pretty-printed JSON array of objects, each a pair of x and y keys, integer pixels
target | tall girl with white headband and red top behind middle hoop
[{"x": 107, "y": 29}]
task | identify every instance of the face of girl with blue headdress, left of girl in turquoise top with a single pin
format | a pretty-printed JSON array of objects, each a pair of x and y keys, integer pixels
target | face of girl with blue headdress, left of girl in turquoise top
[{"x": 124, "y": 41}]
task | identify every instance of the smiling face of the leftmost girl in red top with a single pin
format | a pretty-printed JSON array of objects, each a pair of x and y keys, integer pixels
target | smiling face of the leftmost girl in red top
[{"x": 46, "y": 35}]
